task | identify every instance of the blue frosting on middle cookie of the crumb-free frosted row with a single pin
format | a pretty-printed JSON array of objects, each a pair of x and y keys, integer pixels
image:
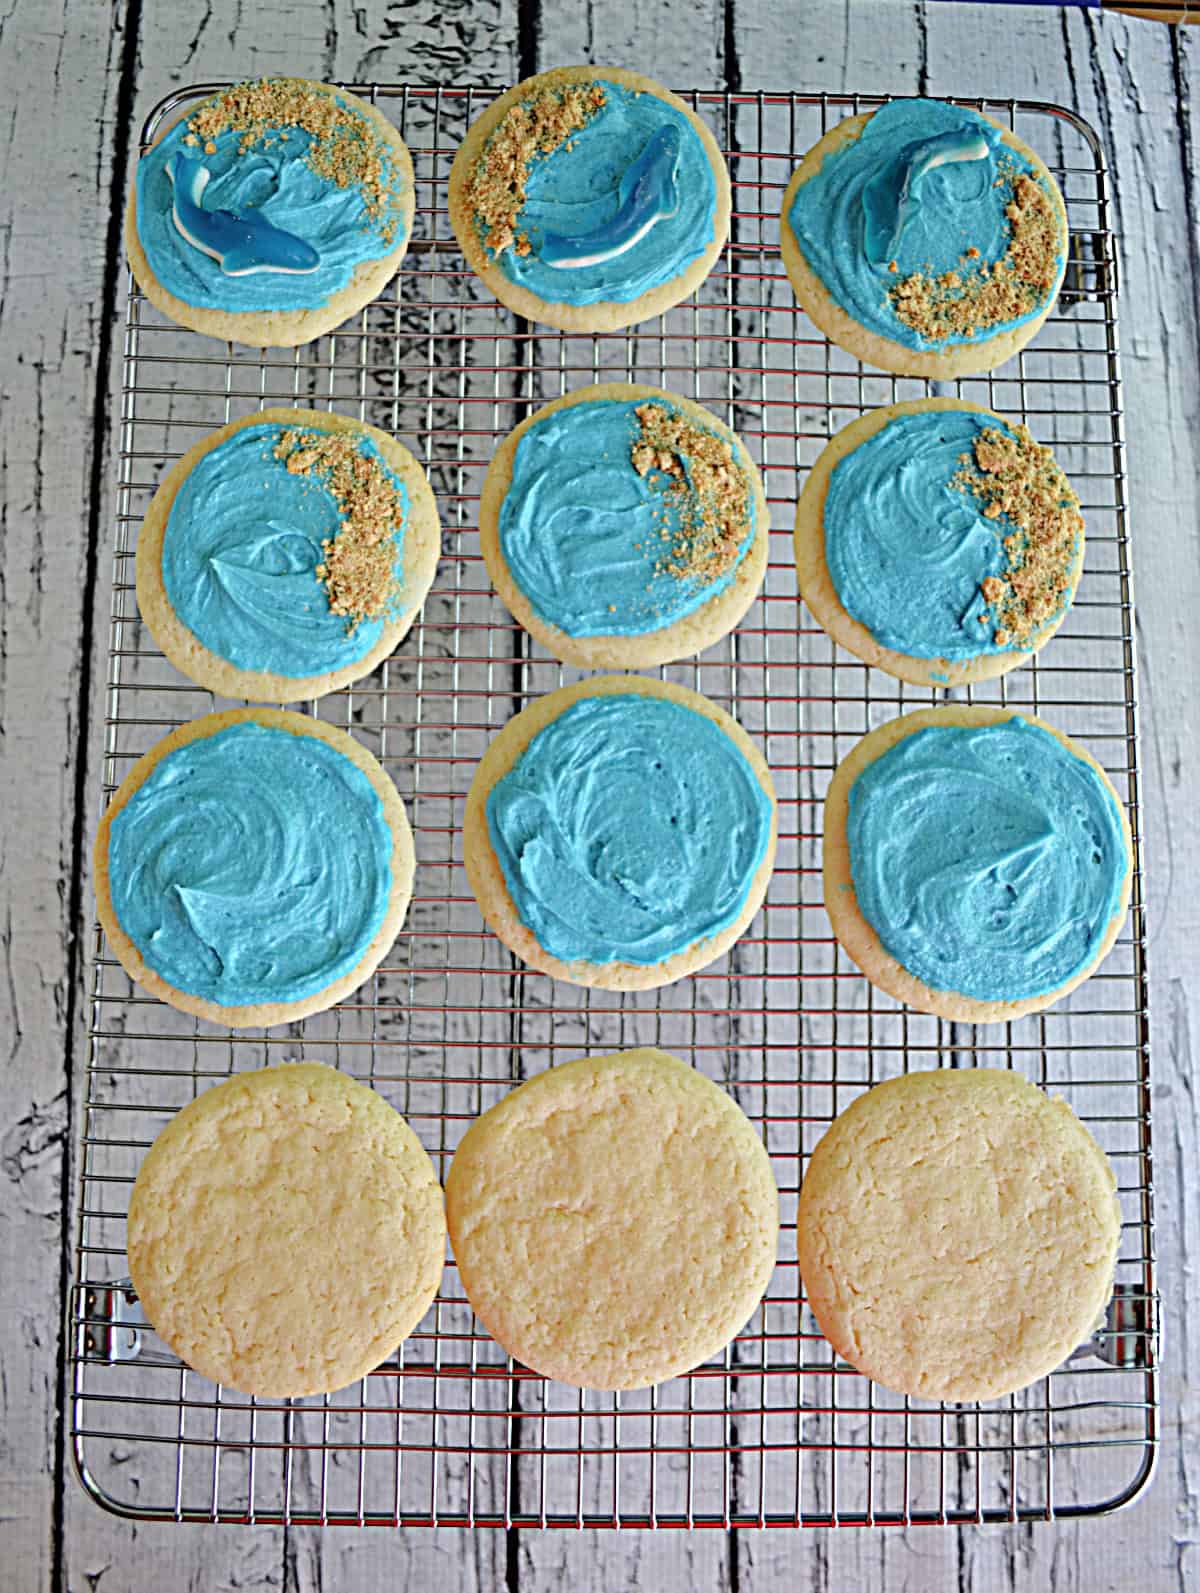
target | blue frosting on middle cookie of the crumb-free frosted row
[{"x": 629, "y": 831}]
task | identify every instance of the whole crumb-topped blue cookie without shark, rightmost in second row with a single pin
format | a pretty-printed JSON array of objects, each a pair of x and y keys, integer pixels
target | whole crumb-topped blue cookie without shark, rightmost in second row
[{"x": 939, "y": 542}]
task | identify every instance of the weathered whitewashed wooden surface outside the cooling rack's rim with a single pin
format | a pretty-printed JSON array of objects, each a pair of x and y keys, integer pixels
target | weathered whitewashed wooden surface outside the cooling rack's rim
[{"x": 82, "y": 68}]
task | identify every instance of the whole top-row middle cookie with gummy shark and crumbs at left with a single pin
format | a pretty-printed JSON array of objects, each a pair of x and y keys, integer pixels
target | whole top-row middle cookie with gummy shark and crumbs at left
[{"x": 590, "y": 198}]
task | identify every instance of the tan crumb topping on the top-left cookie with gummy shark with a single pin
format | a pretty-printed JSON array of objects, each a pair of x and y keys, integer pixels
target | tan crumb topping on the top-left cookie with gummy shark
[{"x": 345, "y": 151}]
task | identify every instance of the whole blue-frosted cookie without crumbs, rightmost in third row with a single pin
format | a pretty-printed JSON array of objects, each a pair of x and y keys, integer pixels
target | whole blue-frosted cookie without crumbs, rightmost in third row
[{"x": 978, "y": 863}]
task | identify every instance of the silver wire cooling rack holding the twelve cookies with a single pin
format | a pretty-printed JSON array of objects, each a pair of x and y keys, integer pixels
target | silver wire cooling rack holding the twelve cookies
[{"x": 777, "y": 1431}]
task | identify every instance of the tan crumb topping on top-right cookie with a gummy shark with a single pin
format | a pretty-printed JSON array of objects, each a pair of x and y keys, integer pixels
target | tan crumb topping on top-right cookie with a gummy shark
[{"x": 968, "y": 302}]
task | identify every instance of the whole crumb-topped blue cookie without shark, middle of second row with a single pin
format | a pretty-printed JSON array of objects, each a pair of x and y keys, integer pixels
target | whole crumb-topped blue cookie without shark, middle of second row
[{"x": 624, "y": 526}]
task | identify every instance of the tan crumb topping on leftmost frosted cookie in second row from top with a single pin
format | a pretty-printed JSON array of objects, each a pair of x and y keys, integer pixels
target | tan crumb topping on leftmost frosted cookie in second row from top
[{"x": 359, "y": 566}]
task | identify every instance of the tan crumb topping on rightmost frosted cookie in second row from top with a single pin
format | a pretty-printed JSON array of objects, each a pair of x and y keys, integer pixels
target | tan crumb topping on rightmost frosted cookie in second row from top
[{"x": 1021, "y": 480}]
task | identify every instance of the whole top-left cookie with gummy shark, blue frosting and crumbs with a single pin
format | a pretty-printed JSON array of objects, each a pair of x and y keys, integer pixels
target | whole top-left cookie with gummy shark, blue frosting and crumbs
[{"x": 270, "y": 213}]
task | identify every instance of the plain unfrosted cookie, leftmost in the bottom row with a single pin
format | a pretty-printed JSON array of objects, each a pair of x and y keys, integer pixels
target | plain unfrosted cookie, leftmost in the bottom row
[{"x": 286, "y": 1232}]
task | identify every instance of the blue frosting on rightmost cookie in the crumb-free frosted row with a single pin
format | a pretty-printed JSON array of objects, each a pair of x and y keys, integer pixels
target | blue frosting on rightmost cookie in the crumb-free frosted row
[{"x": 987, "y": 859}]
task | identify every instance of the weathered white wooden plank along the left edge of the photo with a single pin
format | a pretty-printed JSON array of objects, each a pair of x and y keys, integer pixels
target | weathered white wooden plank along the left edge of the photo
[{"x": 60, "y": 65}]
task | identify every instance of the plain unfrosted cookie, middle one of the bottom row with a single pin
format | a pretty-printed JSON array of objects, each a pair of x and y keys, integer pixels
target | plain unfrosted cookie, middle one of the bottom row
[{"x": 614, "y": 1221}]
